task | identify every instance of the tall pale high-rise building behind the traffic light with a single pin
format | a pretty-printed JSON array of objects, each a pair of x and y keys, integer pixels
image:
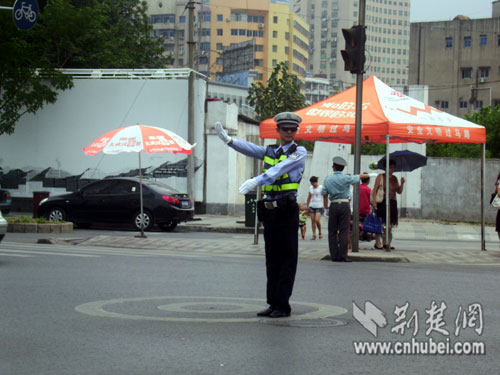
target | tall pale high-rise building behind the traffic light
[{"x": 387, "y": 44}]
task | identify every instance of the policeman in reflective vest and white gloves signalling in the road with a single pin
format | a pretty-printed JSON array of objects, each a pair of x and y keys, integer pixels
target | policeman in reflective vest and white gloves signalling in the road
[{"x": 278, "y": 210}]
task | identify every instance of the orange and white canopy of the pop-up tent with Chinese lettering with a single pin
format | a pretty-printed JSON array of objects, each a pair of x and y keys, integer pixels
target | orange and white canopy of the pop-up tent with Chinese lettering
[{"x": 385, "y": 112}]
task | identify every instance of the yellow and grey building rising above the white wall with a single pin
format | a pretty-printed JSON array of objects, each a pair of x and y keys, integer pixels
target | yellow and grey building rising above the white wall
[{"x": 233, "y": 36}]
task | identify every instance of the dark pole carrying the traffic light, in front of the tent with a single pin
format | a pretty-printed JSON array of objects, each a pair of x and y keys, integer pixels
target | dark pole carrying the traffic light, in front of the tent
[{"x": 354, "y": 59}]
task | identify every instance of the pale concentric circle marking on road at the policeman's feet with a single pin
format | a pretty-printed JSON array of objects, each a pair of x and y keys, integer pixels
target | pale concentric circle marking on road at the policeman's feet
[{"x": 98, "y": 308}]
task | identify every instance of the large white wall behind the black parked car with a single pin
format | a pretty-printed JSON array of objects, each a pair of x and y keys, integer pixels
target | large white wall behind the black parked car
[{"x": 55, "y": 136}]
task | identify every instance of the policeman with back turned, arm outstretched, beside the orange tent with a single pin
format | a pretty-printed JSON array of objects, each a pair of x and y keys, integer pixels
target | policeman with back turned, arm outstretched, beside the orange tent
[{"x": 336, "y": 188}]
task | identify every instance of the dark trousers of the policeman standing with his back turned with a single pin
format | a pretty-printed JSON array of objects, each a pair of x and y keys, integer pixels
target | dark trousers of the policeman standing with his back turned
[{"x": 339, "y": 218}]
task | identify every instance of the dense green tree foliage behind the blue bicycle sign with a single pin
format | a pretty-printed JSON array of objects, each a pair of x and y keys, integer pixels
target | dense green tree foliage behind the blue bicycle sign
[{"x": 69, "y": 34}]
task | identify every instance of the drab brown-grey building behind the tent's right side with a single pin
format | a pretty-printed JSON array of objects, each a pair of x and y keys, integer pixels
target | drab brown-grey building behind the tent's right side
[{"x": 459, "y": 60}]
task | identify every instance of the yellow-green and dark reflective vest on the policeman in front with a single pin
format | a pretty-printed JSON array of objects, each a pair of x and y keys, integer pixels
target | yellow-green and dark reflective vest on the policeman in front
[{"x": 283, "y": 183}]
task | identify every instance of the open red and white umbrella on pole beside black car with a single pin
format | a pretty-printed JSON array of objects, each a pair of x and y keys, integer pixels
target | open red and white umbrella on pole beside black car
[{"x": 138, "y": 138}]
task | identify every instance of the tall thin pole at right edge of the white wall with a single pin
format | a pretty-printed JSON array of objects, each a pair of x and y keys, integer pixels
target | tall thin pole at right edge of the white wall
[{"x": 191, "y": 43}]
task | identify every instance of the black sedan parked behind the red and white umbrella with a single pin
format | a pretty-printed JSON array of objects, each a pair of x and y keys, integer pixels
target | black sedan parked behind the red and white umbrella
[{"x": 117, "y": 200}]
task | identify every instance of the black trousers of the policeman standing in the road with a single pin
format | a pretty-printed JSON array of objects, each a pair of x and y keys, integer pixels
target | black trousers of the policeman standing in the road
[{"x": 281, "y": 244}]
